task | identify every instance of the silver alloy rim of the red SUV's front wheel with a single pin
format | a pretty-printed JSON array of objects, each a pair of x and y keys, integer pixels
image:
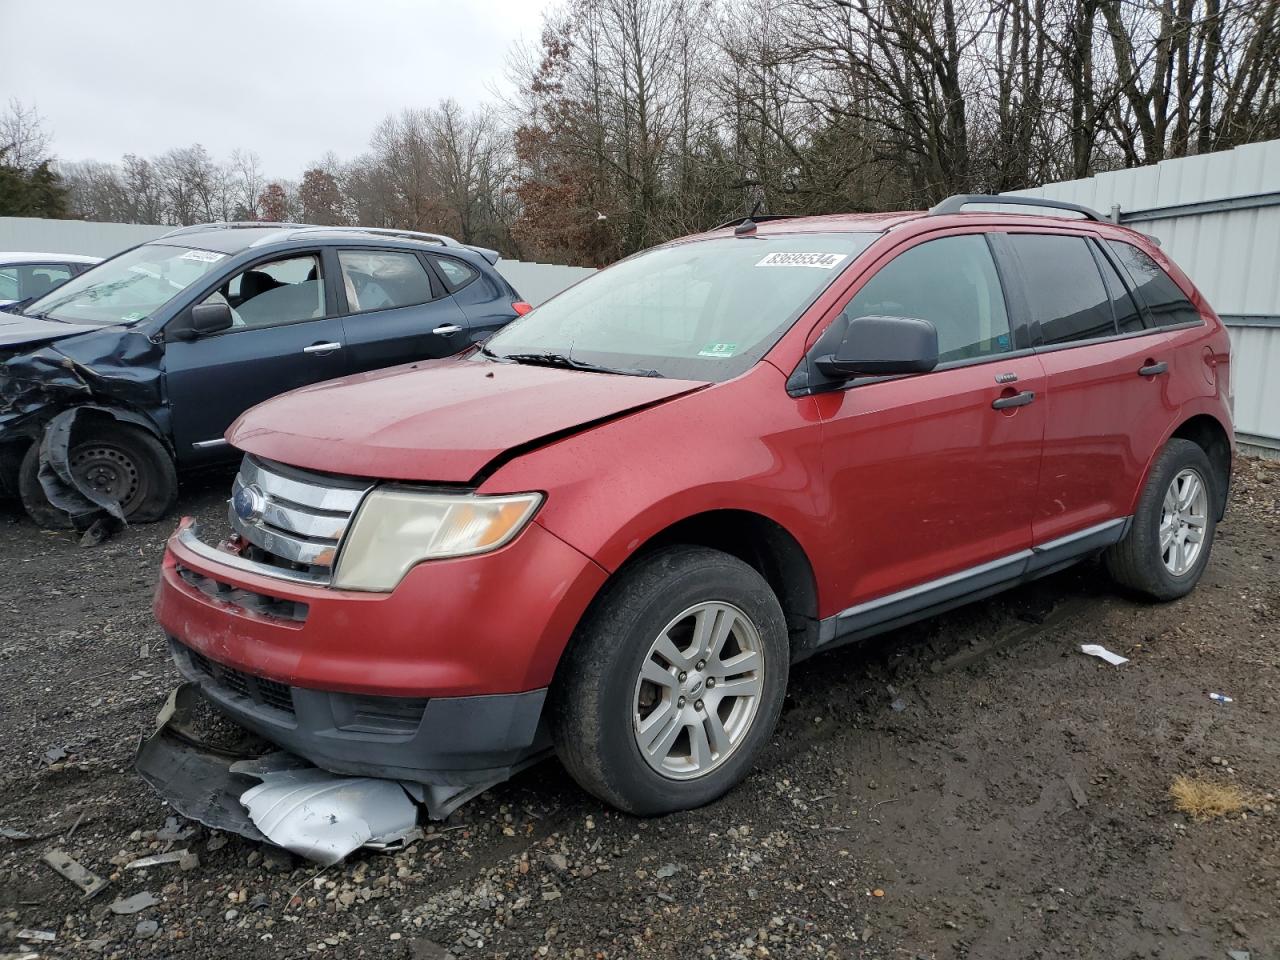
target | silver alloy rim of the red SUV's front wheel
[{"x": 698, "y": 691}]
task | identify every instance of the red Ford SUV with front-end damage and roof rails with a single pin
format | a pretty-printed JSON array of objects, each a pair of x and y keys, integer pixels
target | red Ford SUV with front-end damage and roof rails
[{"x": 611, "y": 531}]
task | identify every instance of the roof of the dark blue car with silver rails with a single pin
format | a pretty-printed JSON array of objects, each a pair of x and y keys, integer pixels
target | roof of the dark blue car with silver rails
[{"x": 240, "y": 237}]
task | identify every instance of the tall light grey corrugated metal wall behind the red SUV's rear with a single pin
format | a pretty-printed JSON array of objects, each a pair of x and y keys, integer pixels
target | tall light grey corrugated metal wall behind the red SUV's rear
[{"x": 1218, "y": 217}]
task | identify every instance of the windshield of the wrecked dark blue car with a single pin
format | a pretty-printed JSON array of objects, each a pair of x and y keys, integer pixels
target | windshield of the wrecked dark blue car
[{"x": 127, "y": 289}]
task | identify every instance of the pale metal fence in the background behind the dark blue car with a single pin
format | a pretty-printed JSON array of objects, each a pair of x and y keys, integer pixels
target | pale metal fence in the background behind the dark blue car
[{"x": 536, "y": 282}]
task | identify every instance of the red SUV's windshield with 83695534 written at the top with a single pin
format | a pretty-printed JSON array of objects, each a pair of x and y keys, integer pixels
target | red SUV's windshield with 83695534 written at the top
[{"x": 706, "y": 310}]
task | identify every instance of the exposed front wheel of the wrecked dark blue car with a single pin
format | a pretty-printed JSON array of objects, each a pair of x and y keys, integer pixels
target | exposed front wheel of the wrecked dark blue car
[{"x": 121, "y": 459}]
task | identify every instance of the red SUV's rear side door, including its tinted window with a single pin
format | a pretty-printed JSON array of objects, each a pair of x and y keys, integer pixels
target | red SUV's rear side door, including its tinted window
[{"x": 1107, "y": 369}]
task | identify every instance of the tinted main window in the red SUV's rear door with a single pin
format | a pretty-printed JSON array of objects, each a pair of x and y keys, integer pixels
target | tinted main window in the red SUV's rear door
[{"x": 1064, "y": 287}]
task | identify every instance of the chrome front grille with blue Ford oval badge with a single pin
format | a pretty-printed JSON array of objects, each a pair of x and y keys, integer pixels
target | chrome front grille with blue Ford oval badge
[{"x": 292, "y": 519}]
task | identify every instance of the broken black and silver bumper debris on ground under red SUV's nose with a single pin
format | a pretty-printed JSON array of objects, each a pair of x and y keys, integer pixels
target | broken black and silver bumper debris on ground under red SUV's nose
[{"x": 276, "y": 797}]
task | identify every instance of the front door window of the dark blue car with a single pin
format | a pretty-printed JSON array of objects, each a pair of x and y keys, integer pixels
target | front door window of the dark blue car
[{"x": 273, "y": 294}]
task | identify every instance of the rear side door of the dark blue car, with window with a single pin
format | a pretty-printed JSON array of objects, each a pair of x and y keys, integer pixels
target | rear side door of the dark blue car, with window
[{"x": 396, "y": 310}]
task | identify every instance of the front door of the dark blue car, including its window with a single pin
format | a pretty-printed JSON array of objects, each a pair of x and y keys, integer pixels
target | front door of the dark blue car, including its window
[{"x": 285, "y": 335}]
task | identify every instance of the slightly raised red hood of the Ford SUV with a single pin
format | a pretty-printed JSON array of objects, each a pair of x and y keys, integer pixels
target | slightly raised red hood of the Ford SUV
[{"x": 438, "y": 422}]
